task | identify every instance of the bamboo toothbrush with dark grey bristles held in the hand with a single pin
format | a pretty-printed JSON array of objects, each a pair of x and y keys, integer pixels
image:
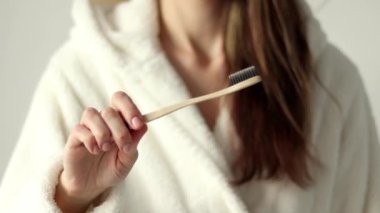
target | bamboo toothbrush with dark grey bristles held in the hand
[{"x": 238, "y": 81}]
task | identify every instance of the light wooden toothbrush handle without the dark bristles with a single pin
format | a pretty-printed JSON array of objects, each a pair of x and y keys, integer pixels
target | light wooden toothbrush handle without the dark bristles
[{"x": 231, "y": 89}]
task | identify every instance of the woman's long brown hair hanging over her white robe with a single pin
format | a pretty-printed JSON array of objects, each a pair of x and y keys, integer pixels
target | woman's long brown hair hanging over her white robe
[{"x": 271, "y": 119}]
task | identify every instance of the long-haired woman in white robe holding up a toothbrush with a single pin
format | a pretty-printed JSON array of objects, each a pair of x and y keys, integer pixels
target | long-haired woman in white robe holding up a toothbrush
[{"x": 302, "y": 141}]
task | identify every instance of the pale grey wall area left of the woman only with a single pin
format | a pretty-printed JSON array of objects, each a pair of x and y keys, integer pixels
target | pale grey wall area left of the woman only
[{"x": 29, "y": 33}]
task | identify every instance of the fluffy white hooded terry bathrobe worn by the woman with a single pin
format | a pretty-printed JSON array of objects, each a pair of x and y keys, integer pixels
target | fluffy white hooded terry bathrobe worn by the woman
[{"x": 181, "y": 168}]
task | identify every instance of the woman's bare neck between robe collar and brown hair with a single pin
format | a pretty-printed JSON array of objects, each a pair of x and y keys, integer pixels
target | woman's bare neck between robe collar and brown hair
[{"x": 193, "y": 27}]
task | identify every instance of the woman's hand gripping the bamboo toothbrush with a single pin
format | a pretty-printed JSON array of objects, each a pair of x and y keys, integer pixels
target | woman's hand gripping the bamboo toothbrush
[{"x": 99, "y": 153}]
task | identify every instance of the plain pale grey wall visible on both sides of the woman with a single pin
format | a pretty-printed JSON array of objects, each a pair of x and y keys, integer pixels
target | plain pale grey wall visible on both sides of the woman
[{"x": 31, "y": 30}]
